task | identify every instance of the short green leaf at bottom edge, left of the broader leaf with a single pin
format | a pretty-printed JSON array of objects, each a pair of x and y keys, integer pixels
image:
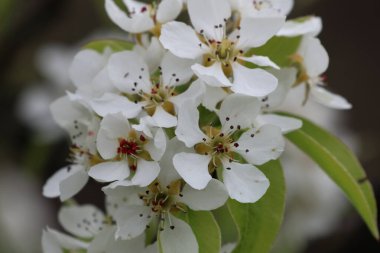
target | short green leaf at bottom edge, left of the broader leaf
[{"x": 206, "y": 231}]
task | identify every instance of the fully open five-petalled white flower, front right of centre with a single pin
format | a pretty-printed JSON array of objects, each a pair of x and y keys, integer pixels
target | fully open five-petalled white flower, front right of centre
[{"x": 218, "y": 148}]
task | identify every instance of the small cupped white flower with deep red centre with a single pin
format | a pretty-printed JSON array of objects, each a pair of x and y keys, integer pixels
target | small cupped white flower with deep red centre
[{"x": 126, "y": 150}]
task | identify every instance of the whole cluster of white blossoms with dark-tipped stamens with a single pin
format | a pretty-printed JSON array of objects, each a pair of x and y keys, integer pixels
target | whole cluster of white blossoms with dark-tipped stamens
[{"x": 181, "y": 122}]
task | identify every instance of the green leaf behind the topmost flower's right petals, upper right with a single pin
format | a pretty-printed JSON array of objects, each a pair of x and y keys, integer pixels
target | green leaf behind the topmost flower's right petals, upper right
[{"x": 278, "y": 49}]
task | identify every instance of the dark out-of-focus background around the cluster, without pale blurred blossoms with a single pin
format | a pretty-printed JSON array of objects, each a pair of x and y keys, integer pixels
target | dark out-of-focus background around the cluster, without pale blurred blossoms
[{"x": 351, "y": 36}]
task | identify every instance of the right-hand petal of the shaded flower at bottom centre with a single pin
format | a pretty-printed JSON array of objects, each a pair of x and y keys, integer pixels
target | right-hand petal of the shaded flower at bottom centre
[{"x": 210, "y": 198}]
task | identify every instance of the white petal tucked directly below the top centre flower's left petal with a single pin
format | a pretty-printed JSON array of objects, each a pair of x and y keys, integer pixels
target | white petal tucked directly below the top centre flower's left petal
[{"x": 175, "y": 70}]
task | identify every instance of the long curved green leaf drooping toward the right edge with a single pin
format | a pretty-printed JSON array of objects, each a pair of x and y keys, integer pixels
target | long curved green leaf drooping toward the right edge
[{"x": 339, "y": 162}]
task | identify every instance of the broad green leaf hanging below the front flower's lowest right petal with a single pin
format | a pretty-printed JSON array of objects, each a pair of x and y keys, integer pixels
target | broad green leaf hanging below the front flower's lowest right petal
[{"x": 259, "y": 223}]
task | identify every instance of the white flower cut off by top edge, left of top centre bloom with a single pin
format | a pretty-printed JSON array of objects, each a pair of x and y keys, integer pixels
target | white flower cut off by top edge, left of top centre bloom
[{"x": 142, "y": 17}]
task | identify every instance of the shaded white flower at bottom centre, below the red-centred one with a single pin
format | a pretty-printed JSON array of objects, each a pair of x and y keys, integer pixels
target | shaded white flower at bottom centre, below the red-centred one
[{"x": 160, "y": 200}]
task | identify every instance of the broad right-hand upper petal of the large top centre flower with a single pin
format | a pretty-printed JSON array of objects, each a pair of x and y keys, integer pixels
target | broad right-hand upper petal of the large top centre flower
[{"x": 257, "y": 31}]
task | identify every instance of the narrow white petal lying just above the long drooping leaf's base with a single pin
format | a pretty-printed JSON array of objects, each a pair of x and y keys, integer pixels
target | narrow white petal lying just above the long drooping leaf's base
[{"x": 286, "y": 124}]
